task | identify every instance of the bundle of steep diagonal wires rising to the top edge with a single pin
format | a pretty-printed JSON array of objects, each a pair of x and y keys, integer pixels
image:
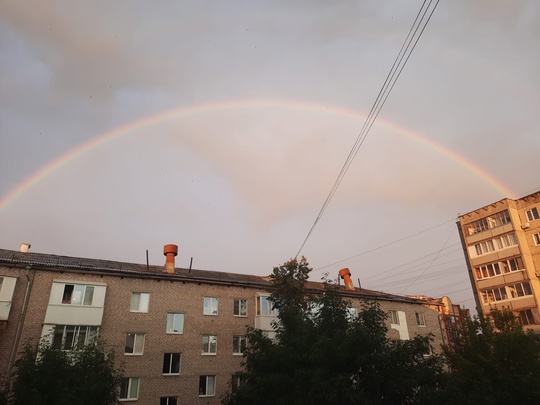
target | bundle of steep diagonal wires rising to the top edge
[{"x": 387, "y": 87}]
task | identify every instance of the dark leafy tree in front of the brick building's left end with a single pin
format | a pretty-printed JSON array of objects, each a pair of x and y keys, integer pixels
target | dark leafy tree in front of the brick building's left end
[{"x": 87, "y": 375}]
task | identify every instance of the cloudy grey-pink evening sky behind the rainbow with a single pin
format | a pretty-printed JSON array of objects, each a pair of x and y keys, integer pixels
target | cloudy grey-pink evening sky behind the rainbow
[{"x": 221, "y": 126}]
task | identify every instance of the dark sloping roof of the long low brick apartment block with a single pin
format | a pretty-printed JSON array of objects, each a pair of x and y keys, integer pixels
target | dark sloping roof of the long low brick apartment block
[{"x": 50, "y": 262}]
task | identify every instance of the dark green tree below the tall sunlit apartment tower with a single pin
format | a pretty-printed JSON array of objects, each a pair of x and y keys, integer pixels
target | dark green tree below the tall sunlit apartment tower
[{"x": 493, "y": 360}]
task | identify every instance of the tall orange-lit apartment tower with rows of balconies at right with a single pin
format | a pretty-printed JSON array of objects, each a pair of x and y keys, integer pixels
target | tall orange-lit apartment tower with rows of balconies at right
[{"x": 501, "y": 242}]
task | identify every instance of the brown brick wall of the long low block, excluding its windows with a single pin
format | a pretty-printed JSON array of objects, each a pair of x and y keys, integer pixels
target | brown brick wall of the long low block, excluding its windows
[{"x": 166, "y": 296}]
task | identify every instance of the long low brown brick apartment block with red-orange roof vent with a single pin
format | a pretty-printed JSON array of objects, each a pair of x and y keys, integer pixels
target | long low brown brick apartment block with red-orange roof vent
[{"x": 180, "y": 332}]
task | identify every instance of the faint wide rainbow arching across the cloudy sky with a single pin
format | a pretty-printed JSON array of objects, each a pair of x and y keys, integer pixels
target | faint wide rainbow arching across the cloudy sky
[{"x": 176, "y": 113}]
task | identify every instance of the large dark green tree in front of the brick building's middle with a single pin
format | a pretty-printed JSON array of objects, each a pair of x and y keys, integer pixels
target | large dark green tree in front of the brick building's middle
[{"x": 323, "y": 355}]
